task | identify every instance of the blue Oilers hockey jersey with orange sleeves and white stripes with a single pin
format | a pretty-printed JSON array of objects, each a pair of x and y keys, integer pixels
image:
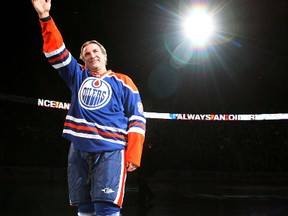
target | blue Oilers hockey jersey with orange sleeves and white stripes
[{"x": 106, "y": 112}]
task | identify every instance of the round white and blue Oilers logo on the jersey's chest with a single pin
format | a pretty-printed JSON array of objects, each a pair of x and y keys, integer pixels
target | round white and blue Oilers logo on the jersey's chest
[{"x": 94, "y": 93}]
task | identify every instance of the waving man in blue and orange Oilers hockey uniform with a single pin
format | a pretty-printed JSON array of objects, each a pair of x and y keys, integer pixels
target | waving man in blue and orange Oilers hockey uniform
[{"x": 105, "y": 123}]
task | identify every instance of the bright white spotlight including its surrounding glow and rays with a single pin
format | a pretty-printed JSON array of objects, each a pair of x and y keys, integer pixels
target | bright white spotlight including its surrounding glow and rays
[{"x": 200, "y": 26}]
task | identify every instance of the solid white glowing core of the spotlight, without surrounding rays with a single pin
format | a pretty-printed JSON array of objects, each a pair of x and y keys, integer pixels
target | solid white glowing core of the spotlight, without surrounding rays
[{"x": 198, "y": 26}]
